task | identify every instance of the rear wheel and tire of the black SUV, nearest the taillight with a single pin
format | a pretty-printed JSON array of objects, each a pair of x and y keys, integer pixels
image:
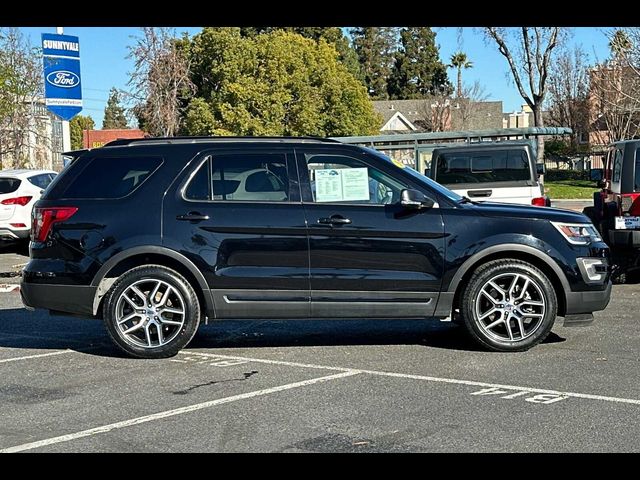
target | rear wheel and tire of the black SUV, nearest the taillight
[{"x": 183, "y": 297}]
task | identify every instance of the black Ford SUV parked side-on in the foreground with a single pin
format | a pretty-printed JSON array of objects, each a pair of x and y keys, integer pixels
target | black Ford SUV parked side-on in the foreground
[{"x": 158, "y": 235}]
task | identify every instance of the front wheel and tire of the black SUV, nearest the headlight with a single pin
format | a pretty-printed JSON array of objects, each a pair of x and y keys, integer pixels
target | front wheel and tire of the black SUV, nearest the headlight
[{"x": 525, "y": 334}]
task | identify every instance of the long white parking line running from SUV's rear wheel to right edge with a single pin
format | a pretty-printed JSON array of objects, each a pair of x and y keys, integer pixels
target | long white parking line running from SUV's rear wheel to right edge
[{"x": 427, "y": 378}]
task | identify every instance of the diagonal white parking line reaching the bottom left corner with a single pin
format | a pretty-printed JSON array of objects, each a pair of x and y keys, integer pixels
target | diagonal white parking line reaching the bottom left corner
[{"x": 174, "y": 412}]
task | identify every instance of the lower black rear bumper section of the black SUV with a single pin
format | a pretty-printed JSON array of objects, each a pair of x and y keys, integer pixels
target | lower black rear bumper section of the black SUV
[{"x": 63, "y": 298}]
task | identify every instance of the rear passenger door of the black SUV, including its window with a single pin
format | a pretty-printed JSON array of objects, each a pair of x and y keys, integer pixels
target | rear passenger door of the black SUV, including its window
[{"x": 237, "y": 215}]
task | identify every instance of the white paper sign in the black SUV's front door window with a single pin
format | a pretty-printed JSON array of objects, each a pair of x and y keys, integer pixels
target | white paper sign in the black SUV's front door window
[{"x": 340, "y": 185}]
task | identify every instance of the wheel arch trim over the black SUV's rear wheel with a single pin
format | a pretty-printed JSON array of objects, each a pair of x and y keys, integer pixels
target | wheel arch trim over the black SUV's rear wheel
[{"x": 145, "y": 255}]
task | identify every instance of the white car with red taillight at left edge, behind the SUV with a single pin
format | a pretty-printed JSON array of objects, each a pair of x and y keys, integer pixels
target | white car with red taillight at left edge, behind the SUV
[{"x": 19, "y": 191}]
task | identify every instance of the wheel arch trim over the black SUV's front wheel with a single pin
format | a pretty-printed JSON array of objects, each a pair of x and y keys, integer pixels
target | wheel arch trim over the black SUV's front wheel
[{"x": 532, "y": 255}]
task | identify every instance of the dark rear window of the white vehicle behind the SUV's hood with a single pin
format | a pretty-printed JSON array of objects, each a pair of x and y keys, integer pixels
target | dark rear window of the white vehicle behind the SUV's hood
[{"x": 482, "y": 167}]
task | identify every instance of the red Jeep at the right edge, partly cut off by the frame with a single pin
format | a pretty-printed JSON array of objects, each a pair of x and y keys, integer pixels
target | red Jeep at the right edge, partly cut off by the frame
[{"x": 616, "y": 209}]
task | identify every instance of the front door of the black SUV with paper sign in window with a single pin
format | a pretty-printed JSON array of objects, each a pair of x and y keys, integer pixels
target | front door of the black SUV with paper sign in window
[{"x": 369, "y": 257}]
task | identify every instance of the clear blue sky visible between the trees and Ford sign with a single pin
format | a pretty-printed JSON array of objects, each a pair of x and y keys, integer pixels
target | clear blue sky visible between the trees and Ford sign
[{"x": 104, "y": 63}]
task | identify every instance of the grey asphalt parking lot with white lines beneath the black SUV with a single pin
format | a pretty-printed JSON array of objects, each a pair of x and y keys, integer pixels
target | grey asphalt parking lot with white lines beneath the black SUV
[{"x": 318, "y": 386}]
